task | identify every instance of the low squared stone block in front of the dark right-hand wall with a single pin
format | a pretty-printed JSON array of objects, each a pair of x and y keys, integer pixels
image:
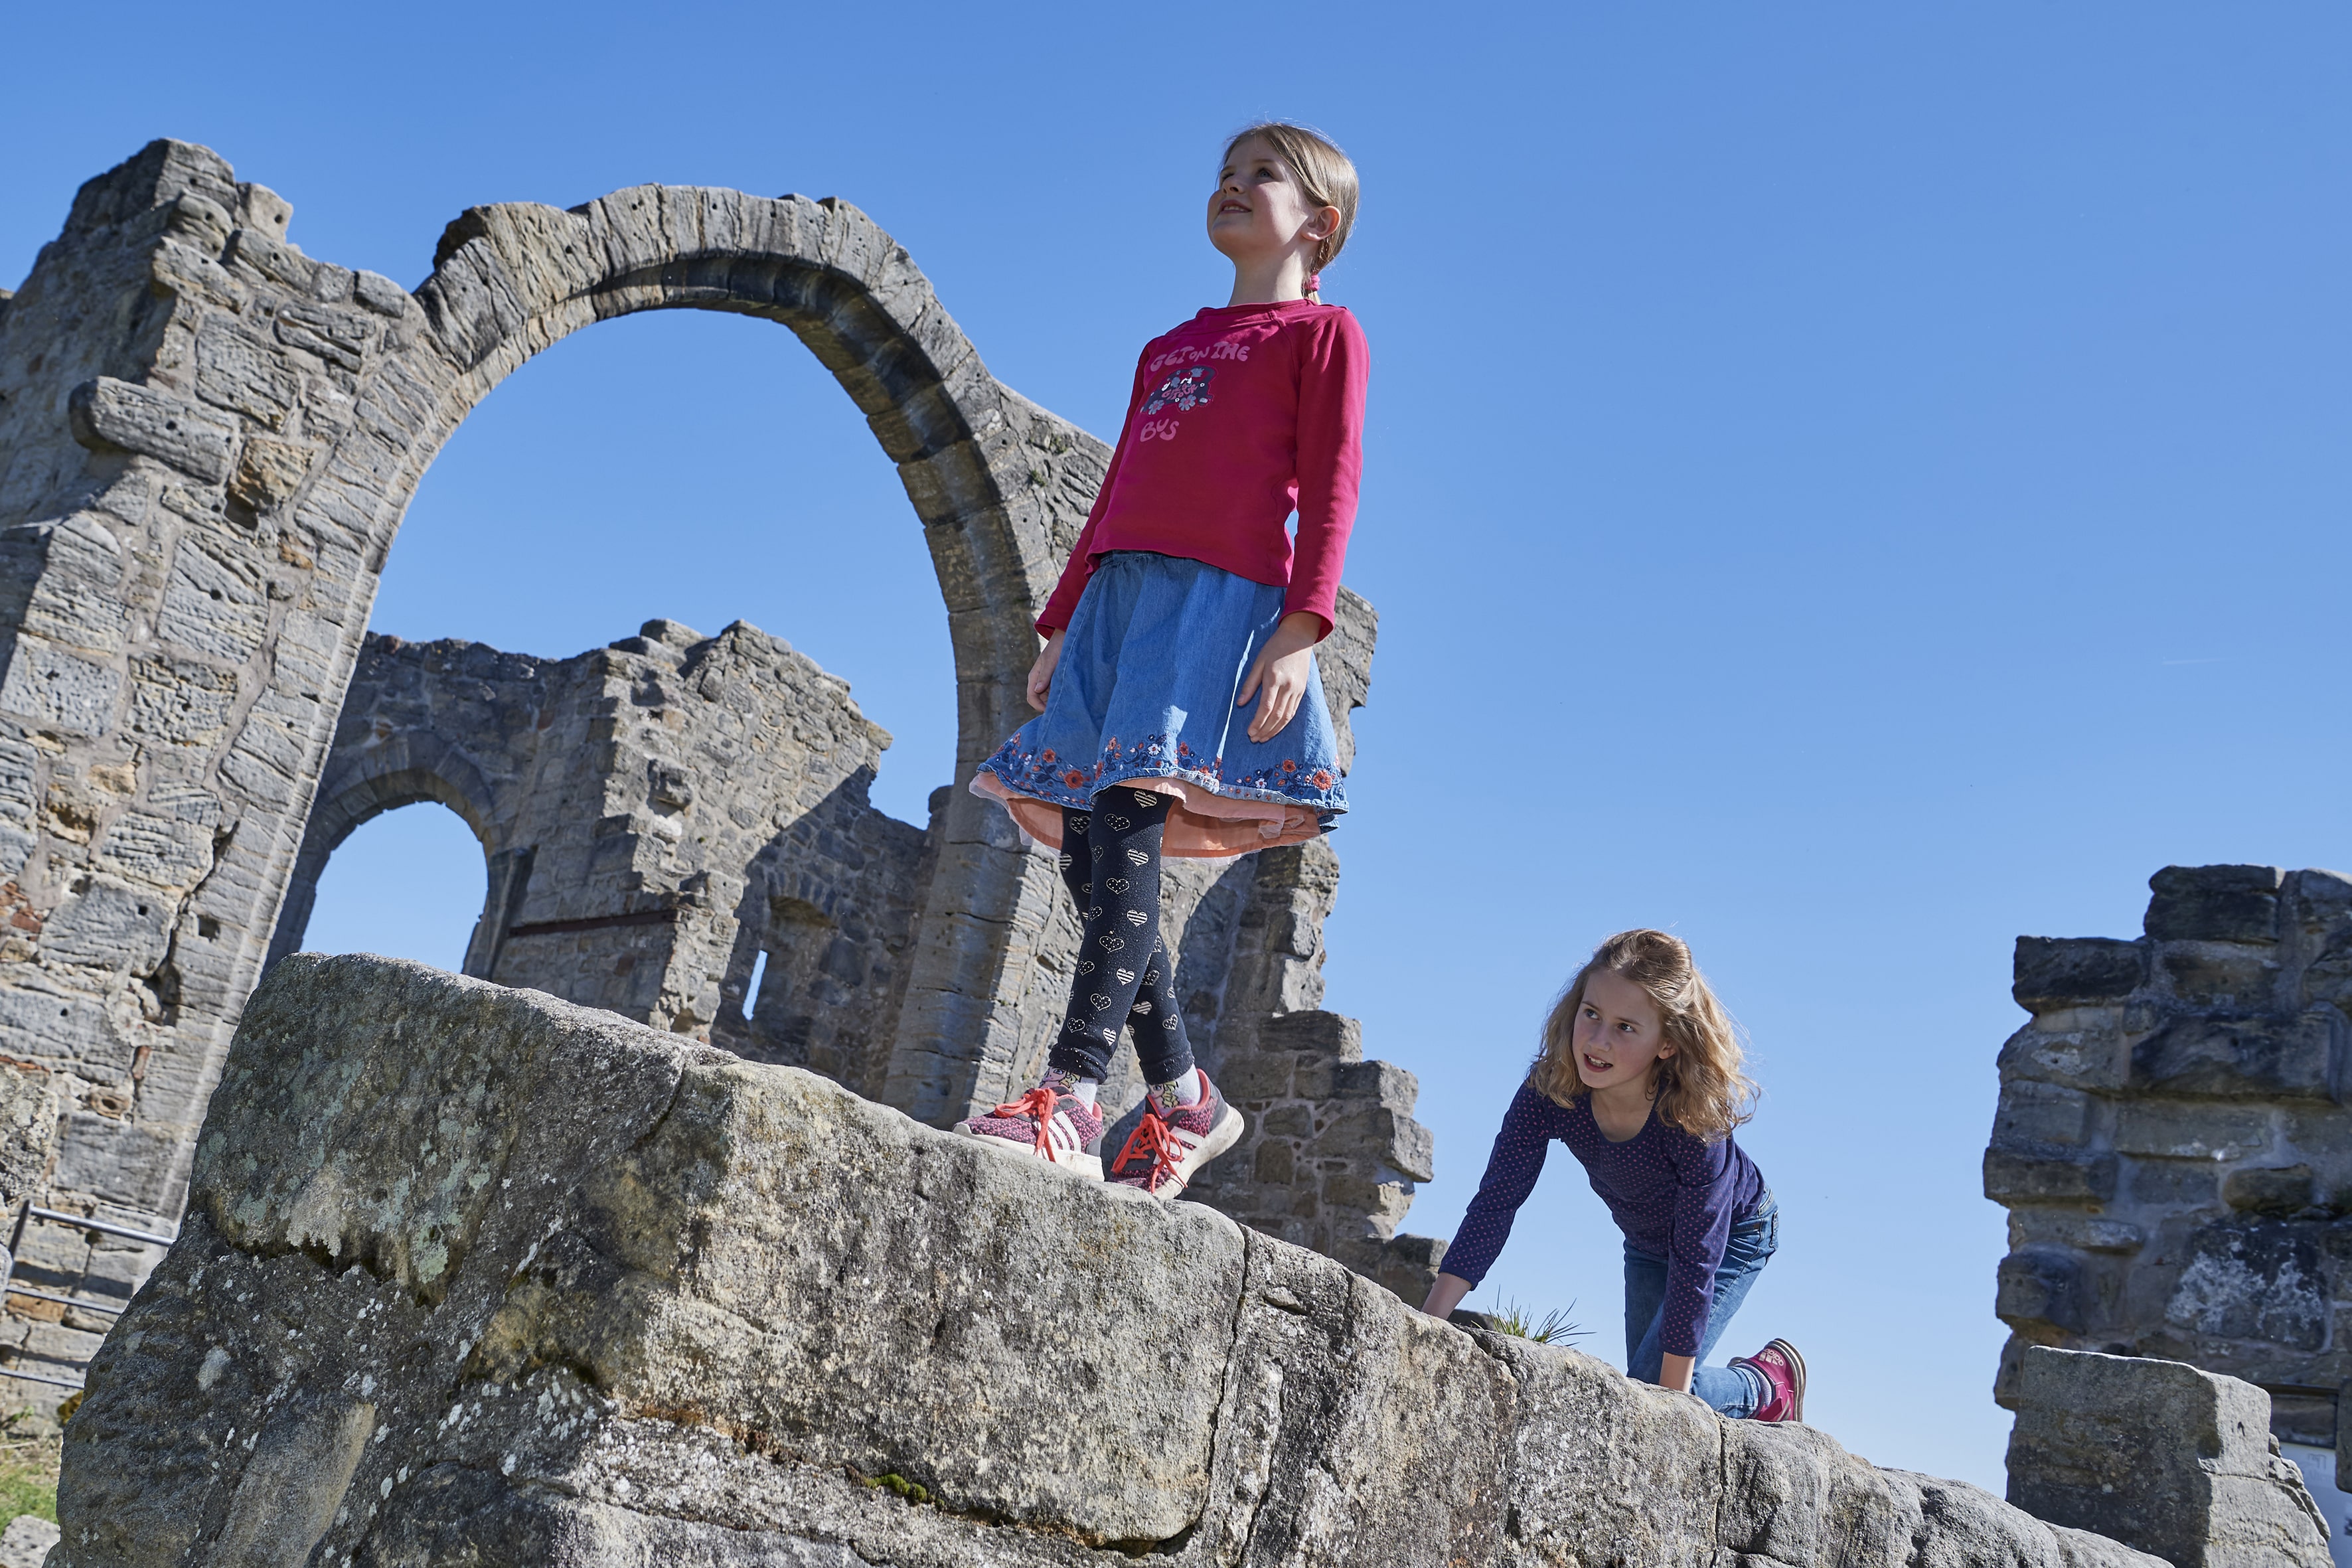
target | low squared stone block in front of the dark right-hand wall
[{"x": 2160, "y": 1456}]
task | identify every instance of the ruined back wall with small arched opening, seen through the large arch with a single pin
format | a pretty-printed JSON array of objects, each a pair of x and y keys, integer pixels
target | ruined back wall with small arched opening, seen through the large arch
[{"x": 655, "y": 817}]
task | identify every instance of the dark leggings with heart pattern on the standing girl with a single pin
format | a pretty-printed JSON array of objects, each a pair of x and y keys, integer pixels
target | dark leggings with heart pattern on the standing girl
[{"x": 1111, "y": 864}]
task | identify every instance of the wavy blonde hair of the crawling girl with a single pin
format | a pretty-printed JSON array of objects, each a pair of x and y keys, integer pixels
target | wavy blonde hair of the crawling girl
[{"x": 1702, "y": 1087}]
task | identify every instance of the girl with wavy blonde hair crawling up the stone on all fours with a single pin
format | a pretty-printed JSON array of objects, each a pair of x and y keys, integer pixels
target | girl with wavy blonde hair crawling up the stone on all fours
[{"x": 1641, "y": 1076}]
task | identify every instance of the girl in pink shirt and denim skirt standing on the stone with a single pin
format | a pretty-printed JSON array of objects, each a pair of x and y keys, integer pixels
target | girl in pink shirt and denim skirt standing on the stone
[{"x": 1180, "y": 702}]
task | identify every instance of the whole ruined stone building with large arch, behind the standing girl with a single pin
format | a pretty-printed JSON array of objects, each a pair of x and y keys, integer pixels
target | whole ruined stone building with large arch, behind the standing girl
[{"x": 206, "y": 448}]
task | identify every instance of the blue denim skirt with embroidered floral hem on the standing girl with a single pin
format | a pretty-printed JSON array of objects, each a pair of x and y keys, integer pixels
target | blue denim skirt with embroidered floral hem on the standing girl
[{"x": 1147, "y": 688}]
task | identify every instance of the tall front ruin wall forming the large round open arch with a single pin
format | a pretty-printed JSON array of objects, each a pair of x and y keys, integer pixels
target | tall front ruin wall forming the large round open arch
[{"x": 206, "y": 448}]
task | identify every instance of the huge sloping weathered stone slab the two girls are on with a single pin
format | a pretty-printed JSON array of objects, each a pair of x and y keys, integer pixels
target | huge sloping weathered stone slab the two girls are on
[{"x": 483, "y": 1278}]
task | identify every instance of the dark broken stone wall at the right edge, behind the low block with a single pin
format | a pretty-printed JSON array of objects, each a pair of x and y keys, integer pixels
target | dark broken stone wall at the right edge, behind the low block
[{"x": 2174, "y": 1148}]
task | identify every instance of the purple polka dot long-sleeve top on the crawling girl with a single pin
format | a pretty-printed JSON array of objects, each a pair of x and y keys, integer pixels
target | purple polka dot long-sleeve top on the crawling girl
[{"x": 1673, "y": 1195}]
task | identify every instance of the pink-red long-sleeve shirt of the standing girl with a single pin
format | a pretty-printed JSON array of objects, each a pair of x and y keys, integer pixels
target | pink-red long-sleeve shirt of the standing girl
[{"x": 1238, "y": 420}]
